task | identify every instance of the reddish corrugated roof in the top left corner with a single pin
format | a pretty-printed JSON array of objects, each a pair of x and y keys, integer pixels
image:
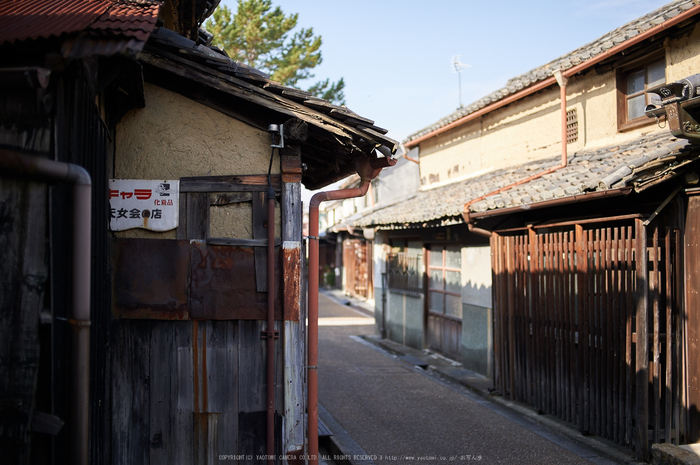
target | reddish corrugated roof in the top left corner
[{"x": 100, "y": 27}]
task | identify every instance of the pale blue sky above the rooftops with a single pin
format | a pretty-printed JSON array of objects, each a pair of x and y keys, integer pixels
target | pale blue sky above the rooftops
[{"x": 395, "y": 56}]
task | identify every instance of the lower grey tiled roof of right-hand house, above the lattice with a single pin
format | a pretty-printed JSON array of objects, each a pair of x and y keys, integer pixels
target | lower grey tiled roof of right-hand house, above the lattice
[{"x": 636, "y": 163}]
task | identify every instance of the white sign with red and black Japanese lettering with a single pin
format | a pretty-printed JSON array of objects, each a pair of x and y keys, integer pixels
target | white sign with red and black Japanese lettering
[{"x": 146, "y": 204}]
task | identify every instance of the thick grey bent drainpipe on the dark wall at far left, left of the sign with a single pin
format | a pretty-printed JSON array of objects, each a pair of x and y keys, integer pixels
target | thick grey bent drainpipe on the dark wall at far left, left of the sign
[{"x": 42, "y": 169}]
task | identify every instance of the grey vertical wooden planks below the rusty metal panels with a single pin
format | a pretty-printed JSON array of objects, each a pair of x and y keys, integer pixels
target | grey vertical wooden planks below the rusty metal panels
[{"x": 189, "y": 391}]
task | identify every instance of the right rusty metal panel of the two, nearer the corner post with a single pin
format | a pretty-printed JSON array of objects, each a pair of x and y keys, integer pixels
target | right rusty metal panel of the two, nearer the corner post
[{"x": 223, "y": 284}]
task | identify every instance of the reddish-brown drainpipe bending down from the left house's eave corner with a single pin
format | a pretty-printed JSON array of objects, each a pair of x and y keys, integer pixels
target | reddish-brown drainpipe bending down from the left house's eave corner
[{"x": 368, "y": 169}]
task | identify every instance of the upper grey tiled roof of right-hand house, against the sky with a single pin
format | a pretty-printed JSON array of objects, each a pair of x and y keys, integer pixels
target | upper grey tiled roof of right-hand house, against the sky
[{"x": 586, "y": 52}]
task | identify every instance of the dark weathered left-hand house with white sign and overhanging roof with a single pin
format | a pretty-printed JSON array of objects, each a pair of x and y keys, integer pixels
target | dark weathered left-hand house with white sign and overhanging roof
[{"x": 179, "y": 274}]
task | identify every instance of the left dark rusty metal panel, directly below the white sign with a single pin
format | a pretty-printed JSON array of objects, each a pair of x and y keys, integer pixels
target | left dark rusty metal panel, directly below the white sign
[{"x": 151, "y": 278}]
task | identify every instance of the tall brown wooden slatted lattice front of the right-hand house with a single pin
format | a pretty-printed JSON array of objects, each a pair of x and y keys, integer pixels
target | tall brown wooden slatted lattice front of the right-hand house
[{"x": 589, "y": 332}]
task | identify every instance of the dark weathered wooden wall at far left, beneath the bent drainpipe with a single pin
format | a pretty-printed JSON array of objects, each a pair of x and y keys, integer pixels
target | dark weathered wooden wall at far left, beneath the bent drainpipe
[{"x": 23, "y": 279}]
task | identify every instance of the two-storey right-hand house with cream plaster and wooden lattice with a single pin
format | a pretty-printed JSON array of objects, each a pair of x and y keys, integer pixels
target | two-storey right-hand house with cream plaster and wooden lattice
[{"x": 555, "y": 230}]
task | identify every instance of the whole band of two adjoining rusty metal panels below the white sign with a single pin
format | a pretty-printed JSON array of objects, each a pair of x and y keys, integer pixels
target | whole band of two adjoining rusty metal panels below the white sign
[{"x": 183, "y": 279}]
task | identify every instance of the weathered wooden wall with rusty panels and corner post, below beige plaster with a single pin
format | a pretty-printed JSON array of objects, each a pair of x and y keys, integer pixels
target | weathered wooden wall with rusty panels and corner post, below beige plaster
[{"x": 191, "y": 391}]
